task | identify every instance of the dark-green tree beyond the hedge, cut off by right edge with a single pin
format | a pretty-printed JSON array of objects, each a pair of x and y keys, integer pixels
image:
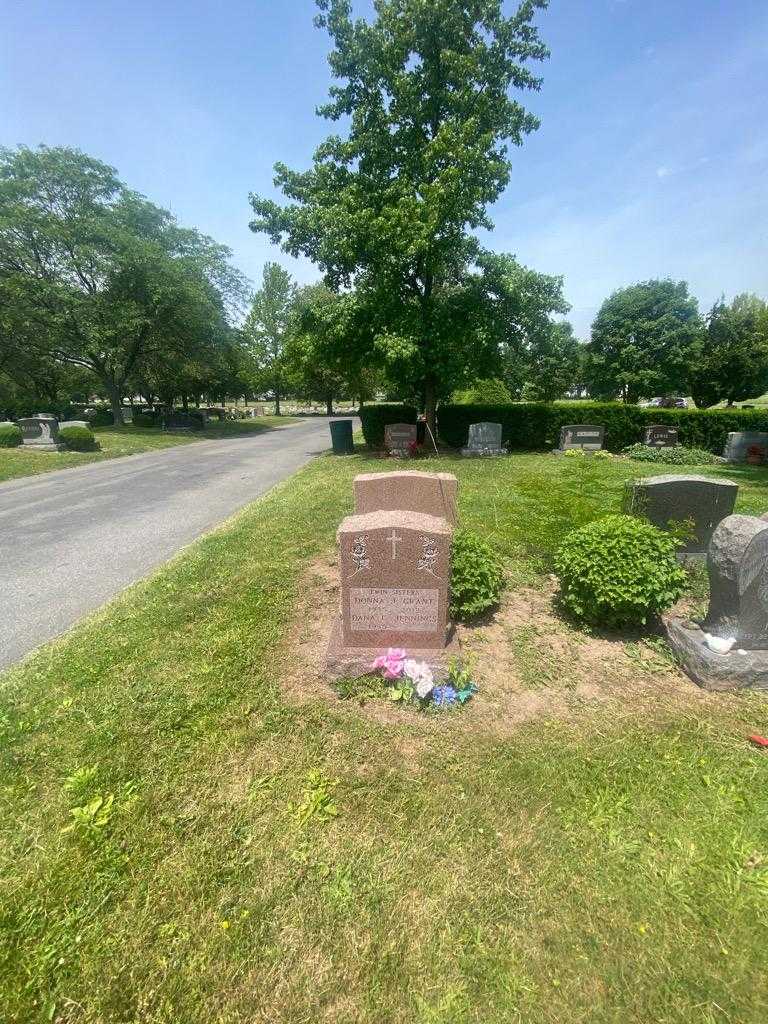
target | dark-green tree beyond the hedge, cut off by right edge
[{"x": 734, "y": 363}]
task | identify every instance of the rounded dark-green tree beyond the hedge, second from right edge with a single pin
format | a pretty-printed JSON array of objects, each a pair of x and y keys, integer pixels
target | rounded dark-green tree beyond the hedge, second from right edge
[{"x": 646, "y": 342}]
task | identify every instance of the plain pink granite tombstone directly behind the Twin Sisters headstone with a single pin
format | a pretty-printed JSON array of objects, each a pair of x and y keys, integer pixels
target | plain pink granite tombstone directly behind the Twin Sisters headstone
[{"x": 407, "y": 491}]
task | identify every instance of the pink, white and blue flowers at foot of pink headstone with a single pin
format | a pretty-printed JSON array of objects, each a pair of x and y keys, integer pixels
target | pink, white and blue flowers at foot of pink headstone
[{"x": 410, "y": 681}]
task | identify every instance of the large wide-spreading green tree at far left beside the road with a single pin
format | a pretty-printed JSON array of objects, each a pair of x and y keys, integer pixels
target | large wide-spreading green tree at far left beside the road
[{"x": 95, "y": 276}]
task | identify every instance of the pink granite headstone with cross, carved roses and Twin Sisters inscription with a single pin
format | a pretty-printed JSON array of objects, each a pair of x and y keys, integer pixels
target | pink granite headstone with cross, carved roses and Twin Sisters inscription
[{"x": 396, "y": 571}]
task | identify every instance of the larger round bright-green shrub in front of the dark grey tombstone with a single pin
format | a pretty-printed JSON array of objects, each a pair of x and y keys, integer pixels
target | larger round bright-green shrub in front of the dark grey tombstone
[{"x": 618, "y": 572}]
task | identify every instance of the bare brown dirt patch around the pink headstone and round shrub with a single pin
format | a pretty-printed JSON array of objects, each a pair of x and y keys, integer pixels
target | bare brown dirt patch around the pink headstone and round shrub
[{"x": 529, "y": 661}]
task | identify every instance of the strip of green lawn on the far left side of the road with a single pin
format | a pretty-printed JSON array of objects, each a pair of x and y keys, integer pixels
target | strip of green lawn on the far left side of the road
[{"x": 118, "y": 442}]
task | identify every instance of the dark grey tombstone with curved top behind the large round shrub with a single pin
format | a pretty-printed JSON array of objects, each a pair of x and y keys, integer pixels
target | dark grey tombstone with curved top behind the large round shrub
[{"x": 673, "y": 500}]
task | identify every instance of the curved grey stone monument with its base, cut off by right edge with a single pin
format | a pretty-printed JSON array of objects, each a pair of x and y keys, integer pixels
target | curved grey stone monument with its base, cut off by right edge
[{"x": 730, "y": 650}]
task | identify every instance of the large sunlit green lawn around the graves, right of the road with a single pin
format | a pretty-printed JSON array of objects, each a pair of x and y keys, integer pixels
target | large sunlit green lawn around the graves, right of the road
[{"x": 585, "y": 870}]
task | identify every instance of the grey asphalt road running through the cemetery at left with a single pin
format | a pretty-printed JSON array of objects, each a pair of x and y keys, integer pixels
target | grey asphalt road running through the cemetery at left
[{"x": 72, "y": 539}]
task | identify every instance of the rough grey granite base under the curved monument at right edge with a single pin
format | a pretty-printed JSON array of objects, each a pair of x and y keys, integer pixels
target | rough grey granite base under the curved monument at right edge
[{"x": 736, "y": 671}]
